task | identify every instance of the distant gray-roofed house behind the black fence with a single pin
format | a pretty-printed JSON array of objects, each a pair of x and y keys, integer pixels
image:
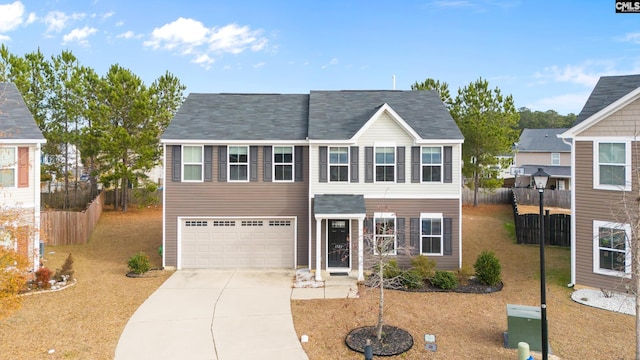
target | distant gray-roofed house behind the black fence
[{"x": 541, "y": 148}]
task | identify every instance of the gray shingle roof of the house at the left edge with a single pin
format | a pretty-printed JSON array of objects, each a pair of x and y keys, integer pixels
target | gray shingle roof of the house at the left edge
[{"x": 16, "y": 121}]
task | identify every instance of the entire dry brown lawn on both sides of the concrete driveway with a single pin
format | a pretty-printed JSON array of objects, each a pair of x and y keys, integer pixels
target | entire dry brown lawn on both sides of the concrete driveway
[{"x": 86, "y": 320}]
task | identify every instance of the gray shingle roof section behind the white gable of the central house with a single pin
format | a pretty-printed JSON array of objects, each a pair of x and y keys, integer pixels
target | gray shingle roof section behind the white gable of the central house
[{"x": 348, "y": 111}]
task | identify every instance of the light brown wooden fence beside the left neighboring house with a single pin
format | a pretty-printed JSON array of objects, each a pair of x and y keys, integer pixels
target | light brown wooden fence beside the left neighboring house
[{"x": 70, "y": 227}]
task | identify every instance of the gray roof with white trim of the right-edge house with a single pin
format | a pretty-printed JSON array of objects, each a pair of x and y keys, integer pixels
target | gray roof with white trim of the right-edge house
[{"x": 610, "y": 94}]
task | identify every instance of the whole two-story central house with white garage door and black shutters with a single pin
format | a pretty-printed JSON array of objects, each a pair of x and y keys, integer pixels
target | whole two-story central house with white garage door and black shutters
[{"x": 288, "y": 181}]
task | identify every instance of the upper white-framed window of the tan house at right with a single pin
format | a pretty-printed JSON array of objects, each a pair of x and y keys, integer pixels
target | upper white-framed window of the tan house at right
[{"x": 612, "y": 165}]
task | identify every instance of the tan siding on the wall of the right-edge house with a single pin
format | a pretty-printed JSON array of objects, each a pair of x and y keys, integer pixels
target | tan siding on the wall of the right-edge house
[{"x": 591, "y": 204}]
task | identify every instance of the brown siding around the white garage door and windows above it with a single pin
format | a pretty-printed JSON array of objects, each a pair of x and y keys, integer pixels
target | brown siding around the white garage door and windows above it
[{"x": 216, "y": 198}]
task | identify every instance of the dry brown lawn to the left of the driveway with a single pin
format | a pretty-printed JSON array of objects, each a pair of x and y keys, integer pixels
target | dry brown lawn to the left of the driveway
[{"x": 85, "y": 321}]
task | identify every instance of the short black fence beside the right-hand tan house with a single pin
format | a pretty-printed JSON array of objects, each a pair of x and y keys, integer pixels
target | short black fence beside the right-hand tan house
[{"x": 557, "y": 227}]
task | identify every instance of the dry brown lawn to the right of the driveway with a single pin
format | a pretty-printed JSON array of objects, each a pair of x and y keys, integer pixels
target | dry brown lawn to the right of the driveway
[{"x": 471, "y": 326}]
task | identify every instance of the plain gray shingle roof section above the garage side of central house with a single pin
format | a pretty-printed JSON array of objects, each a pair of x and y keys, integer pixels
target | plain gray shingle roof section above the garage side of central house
[{"x": 241, "y": 117}]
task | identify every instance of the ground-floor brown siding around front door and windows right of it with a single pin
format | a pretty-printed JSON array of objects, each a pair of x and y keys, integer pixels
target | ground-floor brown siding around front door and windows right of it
[{"x": 406, "y": 209}]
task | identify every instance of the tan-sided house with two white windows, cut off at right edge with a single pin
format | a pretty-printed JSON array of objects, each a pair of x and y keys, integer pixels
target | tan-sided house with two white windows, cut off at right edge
[{"x": 604, "y": 160}]
